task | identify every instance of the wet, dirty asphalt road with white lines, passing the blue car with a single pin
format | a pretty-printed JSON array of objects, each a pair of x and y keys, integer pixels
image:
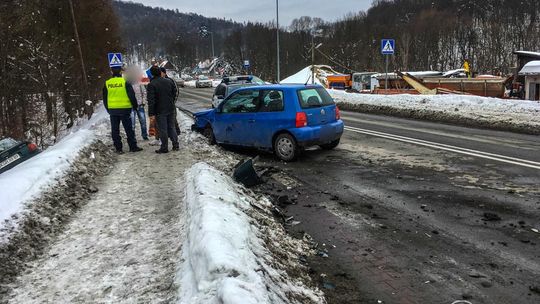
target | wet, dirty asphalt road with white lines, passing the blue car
[{"x": 406, "y": 211}]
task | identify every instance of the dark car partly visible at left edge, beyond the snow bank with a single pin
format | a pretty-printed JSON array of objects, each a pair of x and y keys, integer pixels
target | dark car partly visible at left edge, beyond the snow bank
[{"x": 14, "y": 152}]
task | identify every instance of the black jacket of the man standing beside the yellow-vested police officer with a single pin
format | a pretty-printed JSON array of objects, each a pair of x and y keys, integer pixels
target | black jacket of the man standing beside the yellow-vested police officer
[{"x": 161, "y": 95}]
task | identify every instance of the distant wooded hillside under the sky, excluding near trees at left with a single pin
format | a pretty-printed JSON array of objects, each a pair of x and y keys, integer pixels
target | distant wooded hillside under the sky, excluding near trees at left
[{"x": 430, "y": 35}]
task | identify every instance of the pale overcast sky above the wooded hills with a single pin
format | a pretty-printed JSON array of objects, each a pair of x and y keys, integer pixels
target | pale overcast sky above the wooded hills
[{"x": 264, "y": 10}]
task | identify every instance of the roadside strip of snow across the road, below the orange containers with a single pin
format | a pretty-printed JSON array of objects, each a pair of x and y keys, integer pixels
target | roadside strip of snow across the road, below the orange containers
[{"x": 482, "y": 109}]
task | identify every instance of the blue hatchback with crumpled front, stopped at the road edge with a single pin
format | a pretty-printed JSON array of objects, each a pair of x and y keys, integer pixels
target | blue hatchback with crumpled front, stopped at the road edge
[{"x": 284, "y": 119}]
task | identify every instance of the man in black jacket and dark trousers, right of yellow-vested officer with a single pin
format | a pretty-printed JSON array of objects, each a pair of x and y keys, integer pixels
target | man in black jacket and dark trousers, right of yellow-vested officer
[{"x": 161, "y": 98}]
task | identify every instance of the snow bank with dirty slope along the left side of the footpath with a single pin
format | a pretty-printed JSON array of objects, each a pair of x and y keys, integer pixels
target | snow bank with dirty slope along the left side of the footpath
[{"x": 37, "y": 197}]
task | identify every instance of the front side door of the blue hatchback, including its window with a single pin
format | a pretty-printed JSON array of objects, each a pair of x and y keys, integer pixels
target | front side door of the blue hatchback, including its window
[{"x": 235, "y": 115}]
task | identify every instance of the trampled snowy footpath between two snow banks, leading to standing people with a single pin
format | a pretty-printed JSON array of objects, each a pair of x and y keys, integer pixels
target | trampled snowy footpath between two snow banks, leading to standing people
[{"x": 121, "y": 246}]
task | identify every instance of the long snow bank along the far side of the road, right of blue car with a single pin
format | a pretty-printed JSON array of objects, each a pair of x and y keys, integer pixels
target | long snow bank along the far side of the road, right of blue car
[{"x": 475, "y": 111}]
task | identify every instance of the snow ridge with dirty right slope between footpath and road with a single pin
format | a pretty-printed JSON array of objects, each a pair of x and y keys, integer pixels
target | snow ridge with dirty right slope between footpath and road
[{"x": 232, "y": 247}]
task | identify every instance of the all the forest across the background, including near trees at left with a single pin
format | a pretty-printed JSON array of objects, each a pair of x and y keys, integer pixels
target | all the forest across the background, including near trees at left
[{"x": 43, "y": 89}]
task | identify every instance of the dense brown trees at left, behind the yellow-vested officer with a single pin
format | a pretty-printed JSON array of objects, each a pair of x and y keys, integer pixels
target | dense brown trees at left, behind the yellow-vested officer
[{"x": 42, "y": 87}]
